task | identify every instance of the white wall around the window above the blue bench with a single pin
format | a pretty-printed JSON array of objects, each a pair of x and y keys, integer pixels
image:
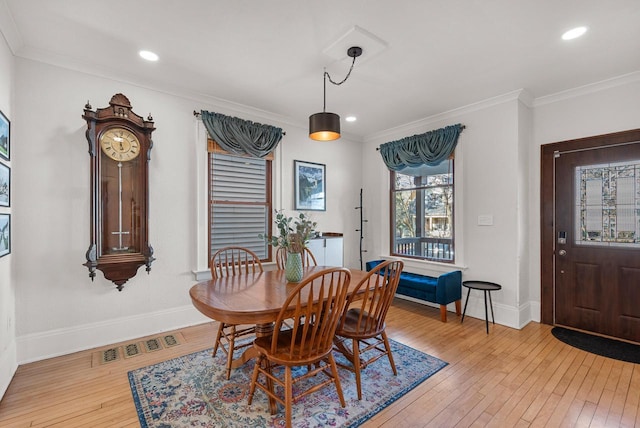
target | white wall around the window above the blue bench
[{"x": 486, "y": 171}]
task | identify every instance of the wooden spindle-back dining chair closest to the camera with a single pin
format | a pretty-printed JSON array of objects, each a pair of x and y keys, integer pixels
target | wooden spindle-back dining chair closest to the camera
[{"x": 320, "y": 296}]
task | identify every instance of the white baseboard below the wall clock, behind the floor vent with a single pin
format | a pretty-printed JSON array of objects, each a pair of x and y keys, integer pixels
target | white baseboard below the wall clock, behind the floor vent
[{"x": 53, "y": 343}]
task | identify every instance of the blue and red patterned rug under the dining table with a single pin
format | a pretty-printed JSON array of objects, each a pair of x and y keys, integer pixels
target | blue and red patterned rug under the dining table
[{"x": 192, "y": 391}]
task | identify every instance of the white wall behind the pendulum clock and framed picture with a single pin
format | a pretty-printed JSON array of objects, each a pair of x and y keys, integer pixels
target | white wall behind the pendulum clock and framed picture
[{"x": 59, "y": 310}]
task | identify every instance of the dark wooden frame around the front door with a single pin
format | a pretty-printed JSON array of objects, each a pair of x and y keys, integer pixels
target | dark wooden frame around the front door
[{"x": 547, "y": 211}]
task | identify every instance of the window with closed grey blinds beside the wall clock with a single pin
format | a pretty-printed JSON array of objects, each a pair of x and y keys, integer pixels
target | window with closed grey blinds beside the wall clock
[{"x": 239, "y": 201}]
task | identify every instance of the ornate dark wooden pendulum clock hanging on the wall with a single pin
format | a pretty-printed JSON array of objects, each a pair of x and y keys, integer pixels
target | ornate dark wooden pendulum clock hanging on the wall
[{"x": 120, "y": 149}]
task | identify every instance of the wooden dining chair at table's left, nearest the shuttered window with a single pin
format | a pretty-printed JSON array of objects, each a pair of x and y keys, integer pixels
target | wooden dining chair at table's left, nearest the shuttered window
[{"x": 232, "y": 261}]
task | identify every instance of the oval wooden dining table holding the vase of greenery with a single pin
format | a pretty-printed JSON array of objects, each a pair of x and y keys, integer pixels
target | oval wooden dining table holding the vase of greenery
[{"x": 253, "y": 298}]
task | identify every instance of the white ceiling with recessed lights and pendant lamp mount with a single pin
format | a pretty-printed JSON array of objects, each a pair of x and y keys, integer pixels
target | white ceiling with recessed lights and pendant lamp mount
[{"x": 421, "y": 57}]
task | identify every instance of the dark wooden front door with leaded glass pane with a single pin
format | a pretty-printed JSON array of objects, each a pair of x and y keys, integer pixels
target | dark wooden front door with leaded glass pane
[{"x": 597, "y": 239}]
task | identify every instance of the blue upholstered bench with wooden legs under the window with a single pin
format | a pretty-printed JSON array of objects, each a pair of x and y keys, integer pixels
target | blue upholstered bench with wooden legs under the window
[{"x": 445, "y": 289}]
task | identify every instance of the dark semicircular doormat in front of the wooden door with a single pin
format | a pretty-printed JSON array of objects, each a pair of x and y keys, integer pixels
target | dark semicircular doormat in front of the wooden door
[{"x": 606, "y": 347}]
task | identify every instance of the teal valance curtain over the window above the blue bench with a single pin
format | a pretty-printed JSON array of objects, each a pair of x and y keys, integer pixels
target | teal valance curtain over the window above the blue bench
[{"x": 429, "y": 148}]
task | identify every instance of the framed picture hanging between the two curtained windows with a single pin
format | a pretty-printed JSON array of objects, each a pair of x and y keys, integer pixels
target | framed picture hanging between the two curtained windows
[{"x": 310, "y": 186}]
